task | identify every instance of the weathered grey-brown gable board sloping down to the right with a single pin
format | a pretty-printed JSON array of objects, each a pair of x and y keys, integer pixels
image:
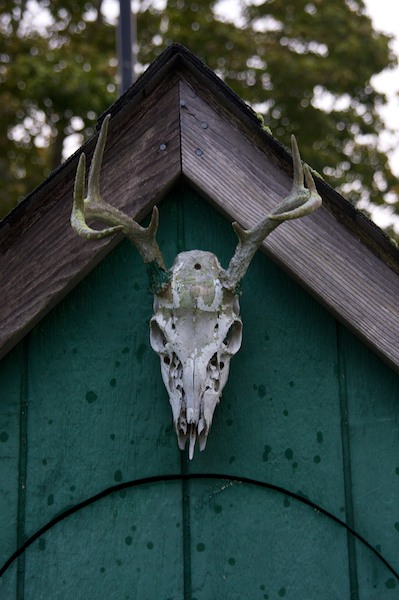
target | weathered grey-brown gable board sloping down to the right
[{"x": 318, "y": 251}]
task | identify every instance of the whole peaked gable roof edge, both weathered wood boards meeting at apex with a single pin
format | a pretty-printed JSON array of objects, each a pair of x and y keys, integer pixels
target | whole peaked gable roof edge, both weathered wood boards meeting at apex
[{"x": 180, "y": 120}]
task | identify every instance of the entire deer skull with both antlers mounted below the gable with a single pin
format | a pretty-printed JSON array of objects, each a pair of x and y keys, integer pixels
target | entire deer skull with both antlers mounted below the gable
[{"x": 196, "y": 327}]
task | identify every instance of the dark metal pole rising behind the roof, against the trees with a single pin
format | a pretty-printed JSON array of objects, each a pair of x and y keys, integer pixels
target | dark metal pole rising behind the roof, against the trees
[{"x": 126, "y": 40}]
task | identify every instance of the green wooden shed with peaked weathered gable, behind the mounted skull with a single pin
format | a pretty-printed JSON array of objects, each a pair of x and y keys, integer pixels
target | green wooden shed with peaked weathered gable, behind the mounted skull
[{"x": 296, "y": 495}]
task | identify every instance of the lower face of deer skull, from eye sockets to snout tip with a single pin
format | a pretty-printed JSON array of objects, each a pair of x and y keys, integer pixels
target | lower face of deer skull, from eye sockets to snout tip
[{"x": 195, "y": 372}]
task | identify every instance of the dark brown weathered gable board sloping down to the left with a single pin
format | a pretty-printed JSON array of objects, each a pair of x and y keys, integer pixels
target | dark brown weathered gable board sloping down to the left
[{"x": 41, "y": 258}]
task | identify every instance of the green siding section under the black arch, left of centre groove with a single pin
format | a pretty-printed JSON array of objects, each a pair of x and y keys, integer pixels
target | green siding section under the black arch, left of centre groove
[{"x": 126, "y": 546}]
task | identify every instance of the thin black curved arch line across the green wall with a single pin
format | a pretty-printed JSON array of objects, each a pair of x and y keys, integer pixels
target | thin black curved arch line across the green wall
[{"x": 191, "y": 477}]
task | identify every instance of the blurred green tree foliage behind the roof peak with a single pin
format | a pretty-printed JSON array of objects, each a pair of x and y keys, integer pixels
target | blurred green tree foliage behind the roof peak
[{"x": 306, "y": 64}]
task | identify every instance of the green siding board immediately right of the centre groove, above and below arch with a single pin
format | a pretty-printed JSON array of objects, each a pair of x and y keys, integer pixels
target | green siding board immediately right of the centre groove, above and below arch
[{"x": 279, "y": 421}]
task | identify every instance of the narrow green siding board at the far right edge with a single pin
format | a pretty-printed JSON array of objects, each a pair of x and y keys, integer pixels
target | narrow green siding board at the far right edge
[{"x": 372, "y": 391}]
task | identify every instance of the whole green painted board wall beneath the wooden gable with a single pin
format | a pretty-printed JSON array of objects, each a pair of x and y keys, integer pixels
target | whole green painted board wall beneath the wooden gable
[{"x": 307, "y": 408}]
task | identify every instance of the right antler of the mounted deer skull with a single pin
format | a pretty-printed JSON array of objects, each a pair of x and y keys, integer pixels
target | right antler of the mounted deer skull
[{"x": 300, "y": 201}]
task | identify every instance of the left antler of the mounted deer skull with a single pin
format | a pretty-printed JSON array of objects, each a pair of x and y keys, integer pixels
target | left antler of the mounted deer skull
[{"x": 94, "y": 207}]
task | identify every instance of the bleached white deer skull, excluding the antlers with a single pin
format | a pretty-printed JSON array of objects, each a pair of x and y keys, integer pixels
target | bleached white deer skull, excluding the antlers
[{"x": 196, "y": 329}]
